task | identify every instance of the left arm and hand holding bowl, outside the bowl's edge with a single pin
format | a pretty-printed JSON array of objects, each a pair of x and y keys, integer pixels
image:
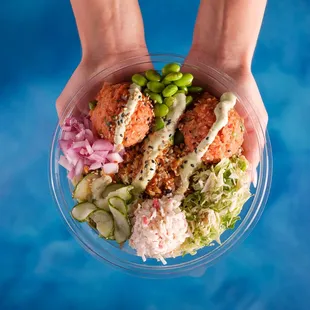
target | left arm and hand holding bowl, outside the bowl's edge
[{"x": 110, "y": 31}]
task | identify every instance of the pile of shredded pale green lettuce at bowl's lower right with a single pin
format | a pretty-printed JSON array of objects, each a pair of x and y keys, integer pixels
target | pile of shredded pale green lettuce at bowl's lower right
[{"x": 219, "y": 193}]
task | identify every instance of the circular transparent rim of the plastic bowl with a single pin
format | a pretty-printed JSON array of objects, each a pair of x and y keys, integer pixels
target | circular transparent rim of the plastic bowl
[{"x": 247, "y": 224}]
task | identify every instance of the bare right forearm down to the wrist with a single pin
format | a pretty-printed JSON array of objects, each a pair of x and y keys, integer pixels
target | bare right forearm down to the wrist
[{"x": 226, "y": 31}]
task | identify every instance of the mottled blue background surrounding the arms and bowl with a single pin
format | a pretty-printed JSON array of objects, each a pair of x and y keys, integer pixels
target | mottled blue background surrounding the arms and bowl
[{"x": 43, "y": 267}]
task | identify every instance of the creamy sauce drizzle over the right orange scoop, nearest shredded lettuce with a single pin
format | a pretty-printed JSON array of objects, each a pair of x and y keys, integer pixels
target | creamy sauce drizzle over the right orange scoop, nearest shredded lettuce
[{"x": 192, "y": 160}]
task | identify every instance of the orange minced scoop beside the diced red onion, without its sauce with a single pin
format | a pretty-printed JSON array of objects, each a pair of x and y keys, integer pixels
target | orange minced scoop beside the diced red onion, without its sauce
[{"x": 111, "y": 101}]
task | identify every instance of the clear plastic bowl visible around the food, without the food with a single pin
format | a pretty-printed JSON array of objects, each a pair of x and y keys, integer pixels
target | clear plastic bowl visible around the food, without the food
[{"x": 108, "y": 251}]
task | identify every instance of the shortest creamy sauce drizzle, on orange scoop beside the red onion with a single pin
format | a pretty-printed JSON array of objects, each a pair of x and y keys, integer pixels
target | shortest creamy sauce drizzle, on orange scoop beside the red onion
[{"x": 124, "y": 117}]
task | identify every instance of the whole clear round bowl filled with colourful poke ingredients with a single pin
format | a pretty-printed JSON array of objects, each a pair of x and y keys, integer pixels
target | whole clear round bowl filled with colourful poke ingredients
[{"x": 147, "y": 166}]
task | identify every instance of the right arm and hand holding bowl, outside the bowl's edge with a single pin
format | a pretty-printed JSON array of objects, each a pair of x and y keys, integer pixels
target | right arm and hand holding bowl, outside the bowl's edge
[{"x": 225, "y": 36}]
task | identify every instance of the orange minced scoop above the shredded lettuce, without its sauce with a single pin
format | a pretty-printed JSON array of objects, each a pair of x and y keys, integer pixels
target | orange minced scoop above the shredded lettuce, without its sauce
[{"x": 196, "y": 123}]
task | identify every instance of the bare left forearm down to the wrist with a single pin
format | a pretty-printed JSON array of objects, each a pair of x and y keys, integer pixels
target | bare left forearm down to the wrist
[{"x": 108, "y": 27}]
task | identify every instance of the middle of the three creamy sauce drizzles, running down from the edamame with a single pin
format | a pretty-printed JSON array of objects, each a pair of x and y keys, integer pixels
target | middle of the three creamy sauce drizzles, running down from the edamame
[{"x": 157, "y": 143}]
